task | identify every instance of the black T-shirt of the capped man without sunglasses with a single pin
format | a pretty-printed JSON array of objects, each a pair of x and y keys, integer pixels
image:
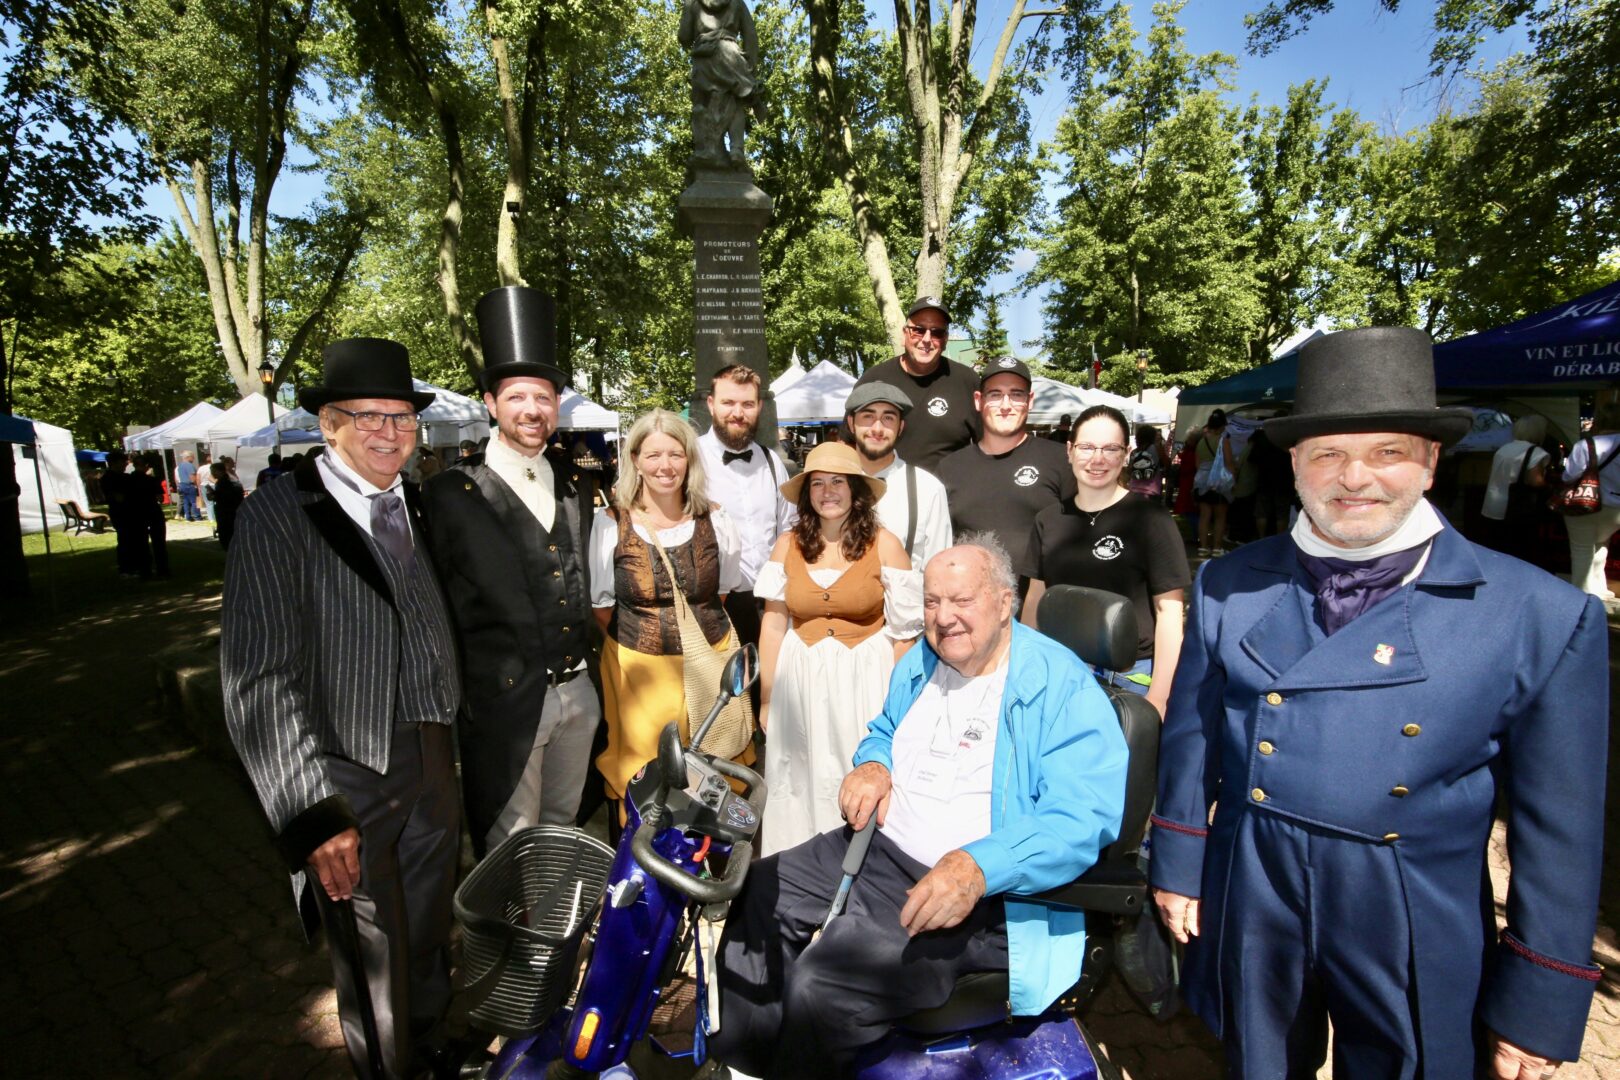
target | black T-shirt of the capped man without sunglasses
[{"x": 1004, "y": 493}]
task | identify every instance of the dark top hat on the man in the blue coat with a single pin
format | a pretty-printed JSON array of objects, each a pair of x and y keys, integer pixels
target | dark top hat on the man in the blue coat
[{"x": 1373, "y": 380}]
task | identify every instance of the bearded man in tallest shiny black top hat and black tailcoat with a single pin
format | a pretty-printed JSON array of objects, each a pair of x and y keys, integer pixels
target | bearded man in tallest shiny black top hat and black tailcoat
[{"x": 506, "y": 532}]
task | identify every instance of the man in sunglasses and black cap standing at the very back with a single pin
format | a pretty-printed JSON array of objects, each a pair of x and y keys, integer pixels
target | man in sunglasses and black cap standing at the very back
[{"x": 940, "y": 389}]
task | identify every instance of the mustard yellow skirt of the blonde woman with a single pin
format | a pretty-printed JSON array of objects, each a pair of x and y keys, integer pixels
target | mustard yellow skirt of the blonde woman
[{"x": 641, "y": 695}]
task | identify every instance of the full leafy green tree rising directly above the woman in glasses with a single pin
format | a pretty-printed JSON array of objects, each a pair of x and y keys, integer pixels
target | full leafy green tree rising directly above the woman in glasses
[{"x": 1148, "y": 247}]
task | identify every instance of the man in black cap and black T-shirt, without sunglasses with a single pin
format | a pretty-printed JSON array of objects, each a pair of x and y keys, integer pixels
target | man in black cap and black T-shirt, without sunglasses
[{"x": 1000, "y": 483}]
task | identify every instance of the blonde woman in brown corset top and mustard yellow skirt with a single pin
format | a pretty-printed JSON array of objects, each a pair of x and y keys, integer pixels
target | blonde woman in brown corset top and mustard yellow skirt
[{"x": 662, "y": 490}]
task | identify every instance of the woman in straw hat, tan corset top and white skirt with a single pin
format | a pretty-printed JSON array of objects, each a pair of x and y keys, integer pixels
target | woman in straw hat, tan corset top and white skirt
[{"x": 842, "y": 605}]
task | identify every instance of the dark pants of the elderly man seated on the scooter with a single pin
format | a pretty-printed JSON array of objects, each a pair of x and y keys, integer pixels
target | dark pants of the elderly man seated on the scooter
[{"x": 793, "y": 1010}]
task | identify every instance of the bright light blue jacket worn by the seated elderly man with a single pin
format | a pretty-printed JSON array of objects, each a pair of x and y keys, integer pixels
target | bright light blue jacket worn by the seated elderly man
[{"x": 1055, "y": 801}]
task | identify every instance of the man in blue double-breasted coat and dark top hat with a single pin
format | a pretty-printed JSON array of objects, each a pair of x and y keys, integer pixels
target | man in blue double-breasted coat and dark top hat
[{"x": 1354, "y": 702}]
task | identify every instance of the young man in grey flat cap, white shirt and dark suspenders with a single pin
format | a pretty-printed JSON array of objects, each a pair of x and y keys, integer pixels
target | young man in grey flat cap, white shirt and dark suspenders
[{"x": 913, "y": 504}]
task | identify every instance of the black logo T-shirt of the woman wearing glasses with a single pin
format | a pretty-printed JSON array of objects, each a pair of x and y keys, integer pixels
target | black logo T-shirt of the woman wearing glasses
[{"x": 1132, "y": 550}]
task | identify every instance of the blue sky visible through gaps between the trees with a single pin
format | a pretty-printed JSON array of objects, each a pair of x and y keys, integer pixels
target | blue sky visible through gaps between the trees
[{"x": 1375, "y": 62}]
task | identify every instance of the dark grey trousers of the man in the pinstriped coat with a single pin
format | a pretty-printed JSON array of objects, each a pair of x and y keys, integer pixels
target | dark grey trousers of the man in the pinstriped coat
[{"x": 411, "y": 822}]
